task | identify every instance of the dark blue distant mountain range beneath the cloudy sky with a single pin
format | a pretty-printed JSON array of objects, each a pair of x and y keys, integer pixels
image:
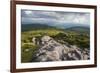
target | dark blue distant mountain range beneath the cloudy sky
[{"x": 29, "y": 27}]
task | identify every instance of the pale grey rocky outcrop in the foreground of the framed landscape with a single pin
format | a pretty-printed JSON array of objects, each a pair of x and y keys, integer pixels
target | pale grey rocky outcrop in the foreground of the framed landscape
[{"x": 51, "y": 50}]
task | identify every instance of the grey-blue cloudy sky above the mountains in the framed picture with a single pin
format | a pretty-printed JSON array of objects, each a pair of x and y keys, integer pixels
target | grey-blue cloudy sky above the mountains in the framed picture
[{"x": 55, "y": 18}]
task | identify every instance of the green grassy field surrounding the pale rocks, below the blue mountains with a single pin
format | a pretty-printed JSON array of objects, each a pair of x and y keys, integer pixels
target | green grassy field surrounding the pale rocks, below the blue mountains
[{"x": 62, "y": 36}]
